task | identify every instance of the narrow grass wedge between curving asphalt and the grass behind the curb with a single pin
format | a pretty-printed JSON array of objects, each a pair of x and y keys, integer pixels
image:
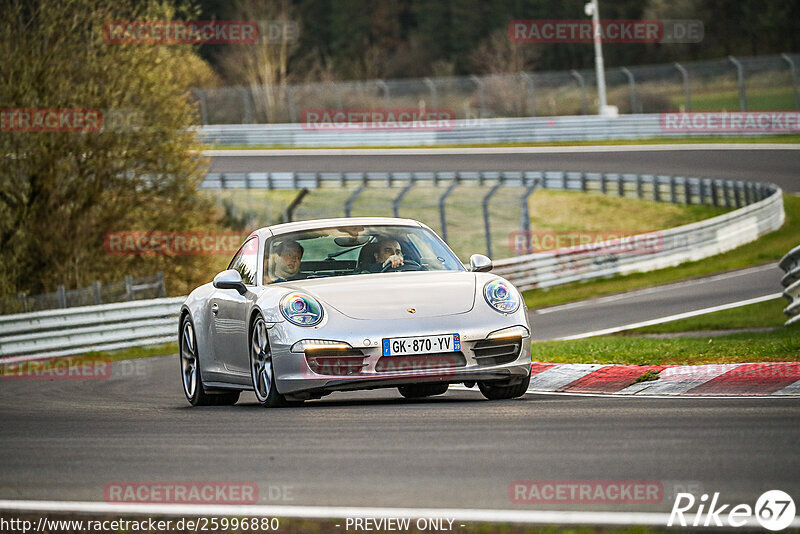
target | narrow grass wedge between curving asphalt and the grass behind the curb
[{"x": 760, "y": 315}]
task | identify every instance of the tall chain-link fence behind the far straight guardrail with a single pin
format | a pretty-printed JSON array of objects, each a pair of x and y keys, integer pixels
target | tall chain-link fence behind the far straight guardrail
[{"x": 761, "y": 83}]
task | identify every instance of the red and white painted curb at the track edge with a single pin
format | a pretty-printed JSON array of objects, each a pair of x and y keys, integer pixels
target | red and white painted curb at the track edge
[{"x": 714, "y": 380}]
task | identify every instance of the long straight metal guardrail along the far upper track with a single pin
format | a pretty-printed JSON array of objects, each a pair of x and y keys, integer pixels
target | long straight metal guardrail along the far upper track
[{"x": 475, "y": 131}]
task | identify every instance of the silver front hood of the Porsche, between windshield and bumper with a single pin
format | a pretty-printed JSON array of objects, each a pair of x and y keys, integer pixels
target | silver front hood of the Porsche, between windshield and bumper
[{"x": 392, "y": 295}]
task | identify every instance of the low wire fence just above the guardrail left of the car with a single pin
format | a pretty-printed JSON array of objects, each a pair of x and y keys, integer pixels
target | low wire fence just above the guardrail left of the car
[{"x": 148, "y": 287}]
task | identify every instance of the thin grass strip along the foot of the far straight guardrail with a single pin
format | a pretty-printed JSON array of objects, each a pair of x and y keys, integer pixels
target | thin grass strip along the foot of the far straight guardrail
[{"x": 781, "y": 139}]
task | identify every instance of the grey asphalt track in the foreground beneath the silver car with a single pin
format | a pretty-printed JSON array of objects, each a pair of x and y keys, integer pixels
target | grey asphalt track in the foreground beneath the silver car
[{"x": 66, "y": 440}]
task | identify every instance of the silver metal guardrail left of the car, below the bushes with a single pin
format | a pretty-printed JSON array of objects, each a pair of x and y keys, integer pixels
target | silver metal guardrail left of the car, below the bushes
[{"x": 78, "y": 330}]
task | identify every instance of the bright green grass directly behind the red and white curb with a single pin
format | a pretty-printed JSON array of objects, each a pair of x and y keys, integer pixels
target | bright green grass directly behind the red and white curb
[{"x": 777, "y": 346}]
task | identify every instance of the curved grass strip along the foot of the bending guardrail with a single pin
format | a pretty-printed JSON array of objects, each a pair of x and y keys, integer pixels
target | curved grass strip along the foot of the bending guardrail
[{"x": 768, "y": 248}]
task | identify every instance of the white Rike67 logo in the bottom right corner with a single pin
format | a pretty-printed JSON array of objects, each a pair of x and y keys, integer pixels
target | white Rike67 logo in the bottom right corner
[{"x": 774, "y": 510}]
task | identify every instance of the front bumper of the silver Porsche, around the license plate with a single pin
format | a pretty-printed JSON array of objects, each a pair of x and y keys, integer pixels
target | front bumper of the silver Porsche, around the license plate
[{"x": 371, "y": 370}]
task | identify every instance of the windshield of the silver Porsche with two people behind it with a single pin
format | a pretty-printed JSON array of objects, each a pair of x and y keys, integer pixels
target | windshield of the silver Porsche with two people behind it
[{"x": 353, "y": 250}]
